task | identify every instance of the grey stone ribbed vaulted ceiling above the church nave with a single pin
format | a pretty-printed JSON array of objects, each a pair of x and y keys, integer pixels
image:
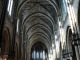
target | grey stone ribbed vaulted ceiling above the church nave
[{"x": 38, "y": 19}]
